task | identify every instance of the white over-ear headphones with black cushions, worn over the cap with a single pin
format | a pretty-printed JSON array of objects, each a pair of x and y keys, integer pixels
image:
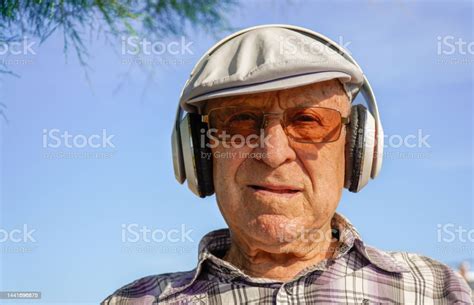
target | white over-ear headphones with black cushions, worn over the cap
[{"x": 364, "y": 139}]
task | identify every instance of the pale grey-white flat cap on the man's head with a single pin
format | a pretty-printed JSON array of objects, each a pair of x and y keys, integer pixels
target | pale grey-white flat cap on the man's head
[{"x": 266, "y": 59}]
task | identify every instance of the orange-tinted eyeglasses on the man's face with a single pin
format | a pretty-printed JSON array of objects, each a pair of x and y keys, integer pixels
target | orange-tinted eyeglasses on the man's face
[{"x": 301, "y": 124}]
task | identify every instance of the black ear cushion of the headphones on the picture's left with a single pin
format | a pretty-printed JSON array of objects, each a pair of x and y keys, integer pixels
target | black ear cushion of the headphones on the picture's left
[{"x": 202, "y": 156}]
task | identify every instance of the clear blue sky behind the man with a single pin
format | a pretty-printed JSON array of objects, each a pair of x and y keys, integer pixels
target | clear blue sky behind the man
[{"x": 77, "y": 206}]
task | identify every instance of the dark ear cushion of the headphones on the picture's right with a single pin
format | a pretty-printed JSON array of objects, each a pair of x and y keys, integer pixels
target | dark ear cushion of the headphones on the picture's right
[{"x": 355, "y": 148}]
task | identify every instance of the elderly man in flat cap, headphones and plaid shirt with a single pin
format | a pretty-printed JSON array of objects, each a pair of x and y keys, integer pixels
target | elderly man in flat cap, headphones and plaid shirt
[{"x": 275, "y": 103}]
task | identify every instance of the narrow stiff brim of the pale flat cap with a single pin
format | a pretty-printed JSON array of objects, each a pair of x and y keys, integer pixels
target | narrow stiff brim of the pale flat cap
[{"x": 278, "y": 84}]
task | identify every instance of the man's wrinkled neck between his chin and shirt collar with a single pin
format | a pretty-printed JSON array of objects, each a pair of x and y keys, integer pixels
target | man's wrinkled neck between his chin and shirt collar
[{"x": 281, "y": 266}]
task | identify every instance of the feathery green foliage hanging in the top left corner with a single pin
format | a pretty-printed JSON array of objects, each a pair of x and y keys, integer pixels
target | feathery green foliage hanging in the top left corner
[{"x": 76, "y": 18}]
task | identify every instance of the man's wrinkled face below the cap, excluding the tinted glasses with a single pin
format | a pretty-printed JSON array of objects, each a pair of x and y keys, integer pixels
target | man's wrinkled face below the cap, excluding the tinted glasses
[{"x": 274, "y": 194}]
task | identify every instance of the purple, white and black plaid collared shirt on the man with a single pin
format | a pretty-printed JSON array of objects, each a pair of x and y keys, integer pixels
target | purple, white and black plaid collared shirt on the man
[{"x": 357, "y": 274}]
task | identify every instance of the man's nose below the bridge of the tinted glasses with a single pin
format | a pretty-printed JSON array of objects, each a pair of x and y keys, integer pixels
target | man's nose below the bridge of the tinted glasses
[{"x": 275, "y": 148}]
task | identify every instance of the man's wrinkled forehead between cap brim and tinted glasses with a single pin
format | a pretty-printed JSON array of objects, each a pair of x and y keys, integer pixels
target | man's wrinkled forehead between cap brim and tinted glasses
[{"x": 325, "y": 94}]
